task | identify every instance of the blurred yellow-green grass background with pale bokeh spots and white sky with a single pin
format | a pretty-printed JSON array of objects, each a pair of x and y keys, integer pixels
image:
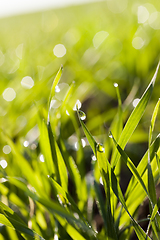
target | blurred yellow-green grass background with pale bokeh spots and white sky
[{"x": 99, "y": 43}]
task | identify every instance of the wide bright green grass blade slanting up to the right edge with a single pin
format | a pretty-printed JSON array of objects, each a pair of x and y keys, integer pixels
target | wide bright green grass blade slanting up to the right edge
[{"x": 134, "y": 118}]
